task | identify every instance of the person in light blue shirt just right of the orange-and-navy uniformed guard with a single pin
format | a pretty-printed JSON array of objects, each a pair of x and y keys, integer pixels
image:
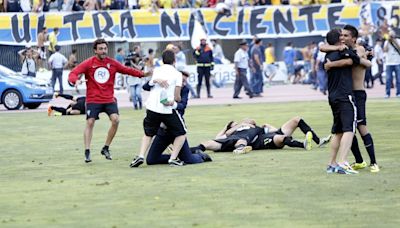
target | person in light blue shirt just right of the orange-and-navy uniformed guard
[{"x": 241, "y": 66}]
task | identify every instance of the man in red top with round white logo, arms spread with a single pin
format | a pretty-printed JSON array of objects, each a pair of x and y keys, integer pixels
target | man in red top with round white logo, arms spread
[{"x": 99, "y": 72}]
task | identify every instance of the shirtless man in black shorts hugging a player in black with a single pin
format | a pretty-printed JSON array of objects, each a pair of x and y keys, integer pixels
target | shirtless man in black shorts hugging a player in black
[{"x": 350, "y": 35}]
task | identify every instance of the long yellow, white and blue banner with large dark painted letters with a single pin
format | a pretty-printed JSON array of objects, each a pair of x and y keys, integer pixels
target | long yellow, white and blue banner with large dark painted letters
[{"x": 177, "y": 24}]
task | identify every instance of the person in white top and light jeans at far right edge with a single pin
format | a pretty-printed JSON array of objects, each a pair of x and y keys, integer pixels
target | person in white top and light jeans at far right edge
[{"x": 392, "y": 50}]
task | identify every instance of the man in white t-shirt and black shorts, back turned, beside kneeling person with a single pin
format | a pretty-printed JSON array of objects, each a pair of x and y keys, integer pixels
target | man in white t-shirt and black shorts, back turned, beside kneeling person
[{"x": 161, "y": 109}]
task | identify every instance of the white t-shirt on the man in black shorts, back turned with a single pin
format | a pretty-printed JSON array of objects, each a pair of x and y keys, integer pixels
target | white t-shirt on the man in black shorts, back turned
[{"x": 174, "y": 78}]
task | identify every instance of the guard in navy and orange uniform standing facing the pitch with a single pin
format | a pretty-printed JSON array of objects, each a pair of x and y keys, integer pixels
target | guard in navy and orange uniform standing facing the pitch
[{"x": 205, "y": 63}]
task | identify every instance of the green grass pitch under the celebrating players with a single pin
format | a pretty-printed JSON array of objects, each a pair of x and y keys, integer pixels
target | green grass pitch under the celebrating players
[{"x": 44, "y": 181}]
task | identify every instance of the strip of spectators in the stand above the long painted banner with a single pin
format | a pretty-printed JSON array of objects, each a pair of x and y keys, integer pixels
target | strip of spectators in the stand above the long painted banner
[{"x": 152, "y": 5}]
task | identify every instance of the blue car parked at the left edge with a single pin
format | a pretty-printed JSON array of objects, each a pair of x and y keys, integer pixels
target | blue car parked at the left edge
[{"x": 17, "y": 90}]
